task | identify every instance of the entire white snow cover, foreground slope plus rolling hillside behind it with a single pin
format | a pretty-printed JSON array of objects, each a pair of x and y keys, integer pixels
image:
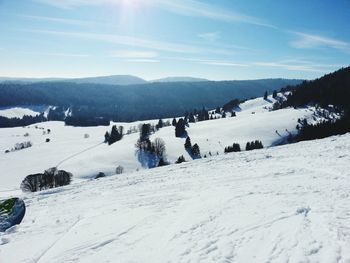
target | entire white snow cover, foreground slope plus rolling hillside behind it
[{"x": 271, "y": 205}]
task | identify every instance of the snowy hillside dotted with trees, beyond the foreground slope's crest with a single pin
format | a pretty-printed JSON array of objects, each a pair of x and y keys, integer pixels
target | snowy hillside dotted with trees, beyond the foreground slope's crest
[{"x": 253, "y": 122}]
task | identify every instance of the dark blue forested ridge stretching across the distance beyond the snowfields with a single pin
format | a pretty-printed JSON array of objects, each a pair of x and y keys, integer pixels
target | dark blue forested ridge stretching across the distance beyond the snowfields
[{"x": 136, "y": 102}]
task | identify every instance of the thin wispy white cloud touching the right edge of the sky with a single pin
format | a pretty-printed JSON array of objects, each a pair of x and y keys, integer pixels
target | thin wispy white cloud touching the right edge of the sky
[{"x": 309, "y": 41}]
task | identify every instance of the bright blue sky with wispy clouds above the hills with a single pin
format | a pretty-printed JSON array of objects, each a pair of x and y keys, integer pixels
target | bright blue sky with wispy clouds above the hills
[{"x": 214, "y": 39}]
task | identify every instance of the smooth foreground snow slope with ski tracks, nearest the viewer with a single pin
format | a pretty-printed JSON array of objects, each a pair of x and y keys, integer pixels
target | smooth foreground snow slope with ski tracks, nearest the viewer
[{"x": 282, "y": 204}]
